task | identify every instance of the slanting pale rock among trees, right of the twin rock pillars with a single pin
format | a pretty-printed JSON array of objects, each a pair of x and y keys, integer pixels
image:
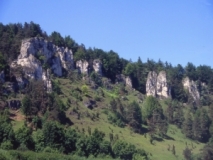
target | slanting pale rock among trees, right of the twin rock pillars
[{"x": 191, "y": 88}]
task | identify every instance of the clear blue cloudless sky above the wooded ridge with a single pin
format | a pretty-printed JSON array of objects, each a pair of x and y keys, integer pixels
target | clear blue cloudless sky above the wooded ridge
[{"x": 176, "y": 31}]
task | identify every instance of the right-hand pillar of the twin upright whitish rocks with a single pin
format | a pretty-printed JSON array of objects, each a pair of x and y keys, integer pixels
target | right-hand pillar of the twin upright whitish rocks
[{"x": 163, "y": 91}]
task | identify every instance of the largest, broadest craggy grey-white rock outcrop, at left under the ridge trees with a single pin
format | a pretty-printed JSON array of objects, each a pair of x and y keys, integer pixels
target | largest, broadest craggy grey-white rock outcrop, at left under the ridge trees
[{"x": 36, "y": 52}]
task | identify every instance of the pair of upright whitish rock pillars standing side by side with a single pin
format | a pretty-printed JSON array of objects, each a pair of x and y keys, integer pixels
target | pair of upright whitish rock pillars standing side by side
[{"x": 157, "y": 86}]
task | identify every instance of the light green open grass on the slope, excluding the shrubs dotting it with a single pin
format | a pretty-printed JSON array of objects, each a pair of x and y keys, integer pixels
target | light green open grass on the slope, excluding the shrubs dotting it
[{"x": 157, "y": 151}]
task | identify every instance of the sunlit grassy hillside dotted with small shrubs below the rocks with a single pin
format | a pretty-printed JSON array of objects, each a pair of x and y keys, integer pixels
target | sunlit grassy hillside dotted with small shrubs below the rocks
[{"x": 84, "y": 118}]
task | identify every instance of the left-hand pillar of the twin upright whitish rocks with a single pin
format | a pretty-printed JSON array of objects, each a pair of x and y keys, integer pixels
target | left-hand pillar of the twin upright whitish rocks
[{"x": 151, "y": 84}]
